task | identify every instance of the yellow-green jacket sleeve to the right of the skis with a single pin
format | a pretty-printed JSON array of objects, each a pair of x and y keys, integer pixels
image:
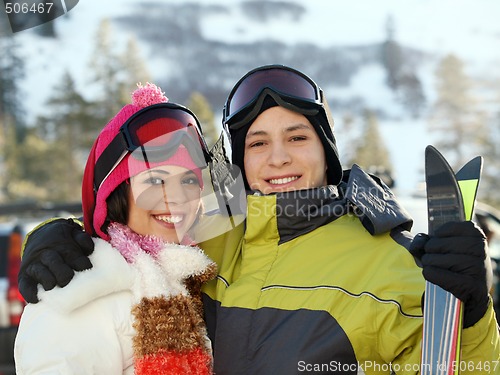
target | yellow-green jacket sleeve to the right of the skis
[{"x": 481, "y": 346}]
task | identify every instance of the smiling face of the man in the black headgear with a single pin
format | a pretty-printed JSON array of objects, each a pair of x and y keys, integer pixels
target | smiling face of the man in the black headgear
[{"x": 283, "y": 152}]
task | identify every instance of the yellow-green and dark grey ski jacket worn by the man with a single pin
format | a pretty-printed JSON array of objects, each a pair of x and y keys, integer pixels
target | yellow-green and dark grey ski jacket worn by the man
[{"x": 321, "y": 281}]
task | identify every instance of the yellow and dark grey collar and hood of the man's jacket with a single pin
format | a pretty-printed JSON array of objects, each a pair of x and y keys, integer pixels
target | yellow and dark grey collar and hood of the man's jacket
[{"x": 298, "y": 212}]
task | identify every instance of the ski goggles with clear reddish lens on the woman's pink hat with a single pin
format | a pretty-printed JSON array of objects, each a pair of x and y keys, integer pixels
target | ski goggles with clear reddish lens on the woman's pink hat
[{"x": 160, "y": 134}]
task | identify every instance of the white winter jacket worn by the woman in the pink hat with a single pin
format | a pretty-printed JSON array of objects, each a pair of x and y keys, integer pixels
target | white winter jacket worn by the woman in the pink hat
[{"x": 86, "y": 327}]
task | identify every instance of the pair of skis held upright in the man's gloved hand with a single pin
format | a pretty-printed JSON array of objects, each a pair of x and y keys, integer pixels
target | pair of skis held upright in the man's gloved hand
[{"x": 450, "y": 197}]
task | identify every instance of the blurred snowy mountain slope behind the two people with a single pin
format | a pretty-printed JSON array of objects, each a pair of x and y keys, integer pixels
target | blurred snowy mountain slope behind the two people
[{"x": 231, "y": 37}]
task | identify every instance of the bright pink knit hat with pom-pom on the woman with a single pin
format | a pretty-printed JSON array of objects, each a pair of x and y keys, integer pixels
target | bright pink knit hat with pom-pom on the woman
[{"x": 94, "y": 204}]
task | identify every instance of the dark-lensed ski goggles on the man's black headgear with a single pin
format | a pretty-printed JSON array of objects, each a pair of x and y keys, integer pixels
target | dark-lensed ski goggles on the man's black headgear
[{"x": 281, "y": 82}]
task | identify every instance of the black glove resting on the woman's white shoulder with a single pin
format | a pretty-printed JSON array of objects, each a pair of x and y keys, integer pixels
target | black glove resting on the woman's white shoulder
[{"x": 52, "y": 254}]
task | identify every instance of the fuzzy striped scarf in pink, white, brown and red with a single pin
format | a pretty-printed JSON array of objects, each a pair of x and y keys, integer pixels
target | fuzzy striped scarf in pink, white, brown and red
[{"x": 170, "y": 334}]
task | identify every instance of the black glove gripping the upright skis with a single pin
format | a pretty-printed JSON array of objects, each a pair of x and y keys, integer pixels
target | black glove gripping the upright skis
[{"x": 455, "y": 258}]
